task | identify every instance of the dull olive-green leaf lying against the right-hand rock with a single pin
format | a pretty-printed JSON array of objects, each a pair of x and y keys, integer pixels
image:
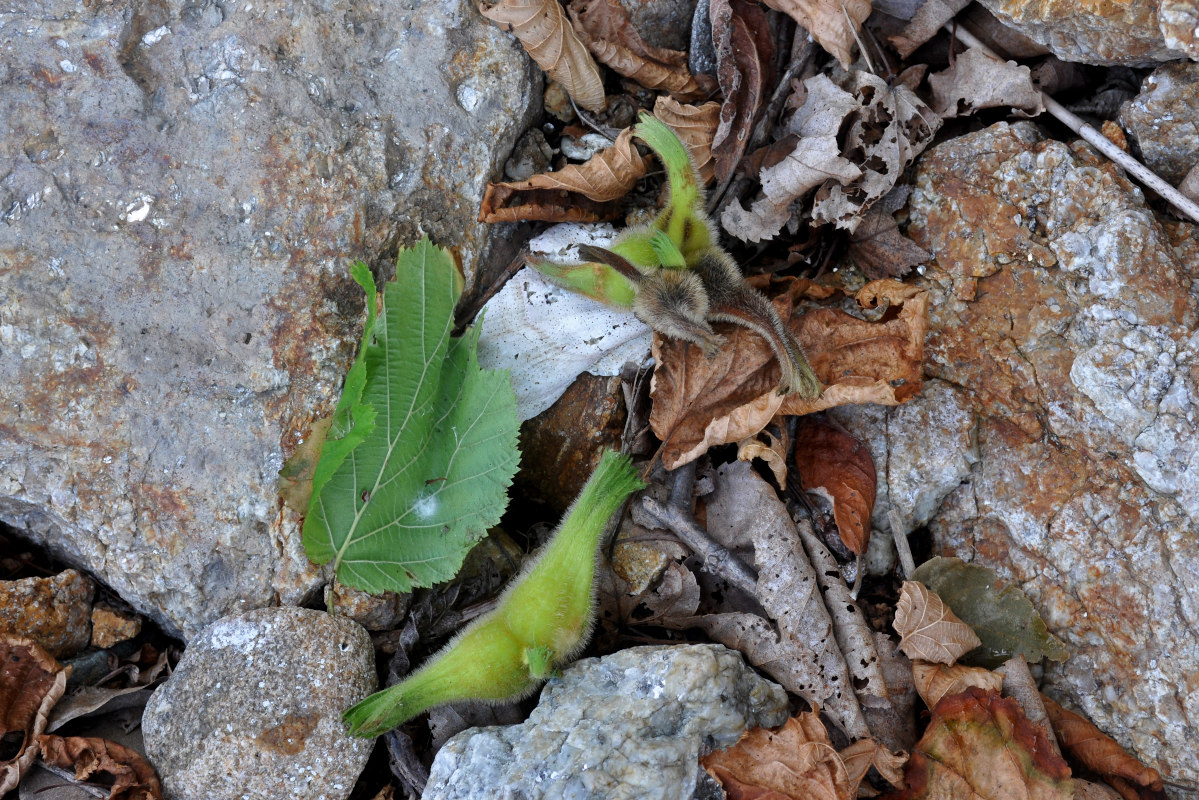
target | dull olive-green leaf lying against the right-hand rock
[{"x": 1005, "y": 621}]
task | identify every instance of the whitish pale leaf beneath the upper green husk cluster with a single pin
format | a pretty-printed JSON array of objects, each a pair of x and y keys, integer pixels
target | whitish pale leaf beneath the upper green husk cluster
[{"x": 546, "y": 336}]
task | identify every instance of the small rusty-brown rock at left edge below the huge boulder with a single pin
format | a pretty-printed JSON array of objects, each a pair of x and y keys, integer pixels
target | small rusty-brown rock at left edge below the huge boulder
[{"x": 56, "y": 612}]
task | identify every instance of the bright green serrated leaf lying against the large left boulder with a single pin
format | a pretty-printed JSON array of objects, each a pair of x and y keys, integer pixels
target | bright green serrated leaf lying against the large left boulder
[{"x": 424, "y": 443}]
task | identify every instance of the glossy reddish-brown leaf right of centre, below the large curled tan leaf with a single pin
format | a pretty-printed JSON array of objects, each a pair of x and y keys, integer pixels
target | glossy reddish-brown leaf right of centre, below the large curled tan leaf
[{"x": 834, "y": 464}]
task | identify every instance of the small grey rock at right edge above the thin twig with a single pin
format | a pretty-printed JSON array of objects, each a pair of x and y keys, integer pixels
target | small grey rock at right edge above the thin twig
[{"x": 1164, "y": 121}]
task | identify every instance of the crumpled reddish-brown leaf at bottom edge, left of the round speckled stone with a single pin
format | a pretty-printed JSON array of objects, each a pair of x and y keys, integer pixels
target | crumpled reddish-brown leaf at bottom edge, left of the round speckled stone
[{"x": 99, "y": 761}]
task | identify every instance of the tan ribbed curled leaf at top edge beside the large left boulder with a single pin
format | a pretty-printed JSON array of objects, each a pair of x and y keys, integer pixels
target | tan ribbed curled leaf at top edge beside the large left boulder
[{"x": 547, "y": 35}]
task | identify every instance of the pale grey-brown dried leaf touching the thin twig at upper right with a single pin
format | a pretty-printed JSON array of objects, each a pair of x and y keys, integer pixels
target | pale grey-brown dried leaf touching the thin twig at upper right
[{"x": 978, "y": 81}]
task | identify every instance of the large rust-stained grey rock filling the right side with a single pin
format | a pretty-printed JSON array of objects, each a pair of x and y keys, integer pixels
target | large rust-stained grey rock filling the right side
[{"x": 1080, "y": 353}]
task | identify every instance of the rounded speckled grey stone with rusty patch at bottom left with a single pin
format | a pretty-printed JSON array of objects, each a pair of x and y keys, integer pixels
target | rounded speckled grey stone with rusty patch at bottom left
[{"x": 255, "y": 709}]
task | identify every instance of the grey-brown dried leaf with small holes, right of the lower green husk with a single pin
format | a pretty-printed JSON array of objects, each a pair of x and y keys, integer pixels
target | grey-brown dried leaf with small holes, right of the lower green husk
[{"x": 797, "y": 645}]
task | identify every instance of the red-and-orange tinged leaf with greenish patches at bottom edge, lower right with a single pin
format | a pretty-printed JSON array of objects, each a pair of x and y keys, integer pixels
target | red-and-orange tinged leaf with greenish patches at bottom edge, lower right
[{"x": 980, "y": 745}]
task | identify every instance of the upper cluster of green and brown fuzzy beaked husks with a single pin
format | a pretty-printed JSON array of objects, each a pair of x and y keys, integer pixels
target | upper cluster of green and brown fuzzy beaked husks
[{"x": 677, "y": 279}]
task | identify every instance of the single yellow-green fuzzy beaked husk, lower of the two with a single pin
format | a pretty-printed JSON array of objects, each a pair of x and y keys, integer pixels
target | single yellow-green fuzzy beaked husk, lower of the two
[{"x": 544, "y": 618}]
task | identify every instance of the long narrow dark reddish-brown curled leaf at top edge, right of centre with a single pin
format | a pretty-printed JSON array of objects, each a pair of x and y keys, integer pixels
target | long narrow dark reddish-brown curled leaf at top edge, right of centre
[{"x": 745, "y": 57}]
